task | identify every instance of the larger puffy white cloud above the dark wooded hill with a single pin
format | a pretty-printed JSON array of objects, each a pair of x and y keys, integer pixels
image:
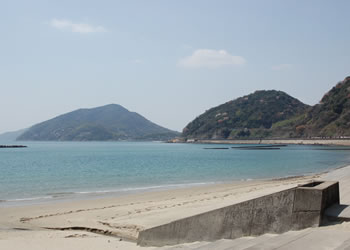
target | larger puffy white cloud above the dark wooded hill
[{"x": 207, "y": 58}]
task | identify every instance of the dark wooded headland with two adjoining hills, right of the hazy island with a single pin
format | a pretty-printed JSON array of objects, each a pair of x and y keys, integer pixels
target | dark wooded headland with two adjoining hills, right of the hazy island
[{"x": 271, "y": 114}]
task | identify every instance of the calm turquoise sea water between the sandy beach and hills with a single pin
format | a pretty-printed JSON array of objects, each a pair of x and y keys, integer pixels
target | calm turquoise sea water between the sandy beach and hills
[{"x": 56, "y": 170}]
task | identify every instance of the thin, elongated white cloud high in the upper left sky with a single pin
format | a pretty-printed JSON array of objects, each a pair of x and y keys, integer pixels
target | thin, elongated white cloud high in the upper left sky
[{"x": 64, "y": 24}]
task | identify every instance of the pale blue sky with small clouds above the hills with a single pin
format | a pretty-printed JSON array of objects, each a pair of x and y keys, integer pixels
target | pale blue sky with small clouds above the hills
[{"x": 169, "y": 61}]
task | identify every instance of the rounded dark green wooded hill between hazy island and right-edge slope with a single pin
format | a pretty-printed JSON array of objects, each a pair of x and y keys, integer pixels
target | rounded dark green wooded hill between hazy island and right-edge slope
[{"x": 251, "y": 116}]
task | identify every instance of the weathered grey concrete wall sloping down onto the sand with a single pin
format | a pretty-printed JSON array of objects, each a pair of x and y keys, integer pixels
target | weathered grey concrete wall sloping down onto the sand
[{"x": 291, "y": 209}]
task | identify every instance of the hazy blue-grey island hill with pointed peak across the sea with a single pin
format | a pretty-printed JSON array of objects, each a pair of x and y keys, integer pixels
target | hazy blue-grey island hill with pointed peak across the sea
[{"x": 106, "y": 123}]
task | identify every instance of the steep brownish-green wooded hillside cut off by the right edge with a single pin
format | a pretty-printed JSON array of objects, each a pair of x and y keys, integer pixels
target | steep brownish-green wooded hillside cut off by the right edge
[{"x": 329, "y": 118}]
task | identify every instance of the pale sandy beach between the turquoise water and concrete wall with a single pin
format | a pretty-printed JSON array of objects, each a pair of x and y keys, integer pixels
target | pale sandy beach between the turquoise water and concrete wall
[{"x": 114, "y": 223}]
